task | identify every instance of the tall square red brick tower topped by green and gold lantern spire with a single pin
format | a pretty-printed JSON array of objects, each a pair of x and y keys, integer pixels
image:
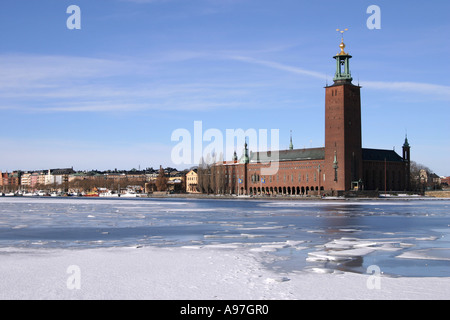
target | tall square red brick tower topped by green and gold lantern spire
[{"x": 343, "y": 146}]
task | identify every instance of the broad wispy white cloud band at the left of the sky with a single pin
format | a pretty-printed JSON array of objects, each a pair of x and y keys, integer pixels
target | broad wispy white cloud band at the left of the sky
[{"x": 74, "y": 84}]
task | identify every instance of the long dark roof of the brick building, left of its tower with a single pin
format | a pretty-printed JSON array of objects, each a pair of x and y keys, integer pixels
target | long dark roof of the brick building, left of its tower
[{"x": 288, "y": 155}]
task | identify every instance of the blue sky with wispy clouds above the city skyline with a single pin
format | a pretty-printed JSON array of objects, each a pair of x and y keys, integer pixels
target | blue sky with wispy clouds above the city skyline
[{"x": 111, "y": 94}]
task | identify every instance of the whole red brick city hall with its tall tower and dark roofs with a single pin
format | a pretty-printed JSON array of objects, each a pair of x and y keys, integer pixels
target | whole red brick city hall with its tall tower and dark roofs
[{"x": 342, "y": 165}]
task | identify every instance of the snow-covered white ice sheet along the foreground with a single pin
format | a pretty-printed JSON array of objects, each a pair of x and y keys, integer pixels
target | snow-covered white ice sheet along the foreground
[{"x": 184, "y": 273}]
